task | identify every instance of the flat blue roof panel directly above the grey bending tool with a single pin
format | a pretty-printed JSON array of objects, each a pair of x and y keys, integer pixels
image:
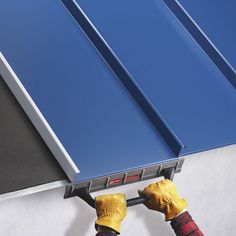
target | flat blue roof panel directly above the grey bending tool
[{"x": 97, "y": 121}]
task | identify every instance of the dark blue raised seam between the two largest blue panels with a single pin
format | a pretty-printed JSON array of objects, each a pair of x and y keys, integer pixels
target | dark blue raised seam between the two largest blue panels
[{"x": 123, "y": 74}]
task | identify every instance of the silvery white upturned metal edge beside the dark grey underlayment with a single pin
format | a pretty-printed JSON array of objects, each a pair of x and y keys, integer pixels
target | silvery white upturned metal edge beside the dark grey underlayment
[{"x": 37, "y": 119}]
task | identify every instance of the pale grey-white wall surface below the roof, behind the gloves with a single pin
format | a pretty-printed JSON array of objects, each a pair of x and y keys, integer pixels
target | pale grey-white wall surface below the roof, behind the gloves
[{"x": 207, "y": 181}]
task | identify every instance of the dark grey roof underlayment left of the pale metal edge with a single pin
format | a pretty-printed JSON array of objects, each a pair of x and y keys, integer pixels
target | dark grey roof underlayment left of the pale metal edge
[{"x": 25, "y": 160}]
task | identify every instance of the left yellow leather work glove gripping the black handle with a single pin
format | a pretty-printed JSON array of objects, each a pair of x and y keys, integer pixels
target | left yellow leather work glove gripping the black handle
[{"x": 111, "y": 210}]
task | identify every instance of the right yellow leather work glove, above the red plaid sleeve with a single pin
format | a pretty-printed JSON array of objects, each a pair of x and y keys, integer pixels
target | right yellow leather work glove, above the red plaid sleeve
[{"x": 164, "y": 198}]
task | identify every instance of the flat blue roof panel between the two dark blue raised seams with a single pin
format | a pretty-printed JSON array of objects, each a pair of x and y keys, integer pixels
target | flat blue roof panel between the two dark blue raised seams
[{"x": 176, "y": 75}]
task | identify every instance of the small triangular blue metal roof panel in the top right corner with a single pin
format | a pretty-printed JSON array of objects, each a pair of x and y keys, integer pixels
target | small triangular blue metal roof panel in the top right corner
[{"x": 217, "y": 20}]
